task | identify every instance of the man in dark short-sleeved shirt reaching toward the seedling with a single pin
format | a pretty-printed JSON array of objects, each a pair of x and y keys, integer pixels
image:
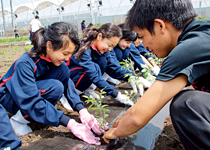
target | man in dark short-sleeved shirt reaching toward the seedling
[{"x": 168, "y": 28}]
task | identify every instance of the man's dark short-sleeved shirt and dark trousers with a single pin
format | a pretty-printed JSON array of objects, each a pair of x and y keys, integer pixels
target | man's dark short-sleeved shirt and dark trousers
[{"x": 190, "y": 108}]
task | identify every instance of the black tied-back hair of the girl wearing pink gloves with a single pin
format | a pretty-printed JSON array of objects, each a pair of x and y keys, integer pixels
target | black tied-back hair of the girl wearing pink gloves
[{"x": 58, "y": 34}]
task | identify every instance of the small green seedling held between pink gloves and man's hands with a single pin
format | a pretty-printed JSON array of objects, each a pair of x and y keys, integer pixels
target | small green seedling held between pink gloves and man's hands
[{"x": 99, "y": 108}]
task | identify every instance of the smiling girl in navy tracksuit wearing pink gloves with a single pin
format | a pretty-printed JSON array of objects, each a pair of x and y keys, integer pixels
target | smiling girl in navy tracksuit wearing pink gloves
[{"x": 34, "y": 84}]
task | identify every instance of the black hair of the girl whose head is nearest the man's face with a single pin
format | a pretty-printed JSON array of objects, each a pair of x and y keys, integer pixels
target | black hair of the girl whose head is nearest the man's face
[{"x": 127, "y": 34}]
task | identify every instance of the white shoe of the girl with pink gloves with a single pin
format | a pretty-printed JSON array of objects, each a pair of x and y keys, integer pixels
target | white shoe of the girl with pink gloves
[{"x": 19, "y": 124}]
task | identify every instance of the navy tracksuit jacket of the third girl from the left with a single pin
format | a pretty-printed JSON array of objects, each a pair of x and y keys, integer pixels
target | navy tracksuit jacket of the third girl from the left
[{"x": 130, "y": 52}]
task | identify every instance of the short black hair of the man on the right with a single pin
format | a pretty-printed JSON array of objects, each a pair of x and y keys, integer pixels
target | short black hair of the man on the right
[{"x": 144, "y": 12}]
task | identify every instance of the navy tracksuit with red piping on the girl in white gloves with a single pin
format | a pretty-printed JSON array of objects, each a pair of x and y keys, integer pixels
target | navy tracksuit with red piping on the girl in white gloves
[{"x": 90, "y": 68}]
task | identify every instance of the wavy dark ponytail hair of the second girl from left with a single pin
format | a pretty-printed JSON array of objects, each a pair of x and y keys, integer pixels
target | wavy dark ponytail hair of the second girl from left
[{"x": 107, "y": 30}]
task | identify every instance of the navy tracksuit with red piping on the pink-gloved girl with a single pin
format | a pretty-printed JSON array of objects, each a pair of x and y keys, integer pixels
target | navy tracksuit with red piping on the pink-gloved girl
[{"x": 33, "y": 86}]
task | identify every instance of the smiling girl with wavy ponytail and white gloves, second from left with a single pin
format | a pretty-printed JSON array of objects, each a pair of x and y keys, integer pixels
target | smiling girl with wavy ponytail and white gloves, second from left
[{"x": 93, "y": 59}]
